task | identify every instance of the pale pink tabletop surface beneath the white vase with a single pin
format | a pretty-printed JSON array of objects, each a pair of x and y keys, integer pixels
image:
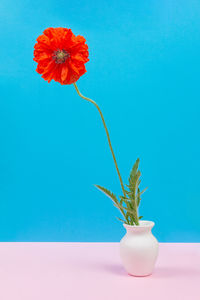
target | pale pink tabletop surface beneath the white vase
[{"x": 93, "y": 271}]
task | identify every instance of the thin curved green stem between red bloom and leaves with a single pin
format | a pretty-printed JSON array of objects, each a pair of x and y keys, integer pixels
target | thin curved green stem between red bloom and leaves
[{"x": 107, "y": 133}]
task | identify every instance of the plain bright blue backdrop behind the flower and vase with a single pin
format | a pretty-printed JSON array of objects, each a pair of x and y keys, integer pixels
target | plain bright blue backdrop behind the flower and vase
[{"x": 144, "y": 72}]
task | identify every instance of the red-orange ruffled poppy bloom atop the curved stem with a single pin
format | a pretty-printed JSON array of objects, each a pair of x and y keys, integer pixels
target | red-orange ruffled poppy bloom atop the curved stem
[{"x": 61, "y": 55}]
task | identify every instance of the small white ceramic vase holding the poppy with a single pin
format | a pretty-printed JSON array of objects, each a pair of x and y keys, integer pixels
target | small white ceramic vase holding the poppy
[{"x": 139, "y": 249}]
